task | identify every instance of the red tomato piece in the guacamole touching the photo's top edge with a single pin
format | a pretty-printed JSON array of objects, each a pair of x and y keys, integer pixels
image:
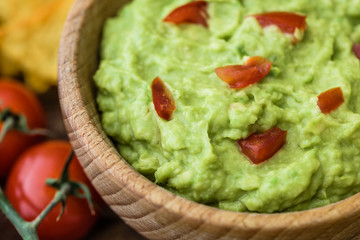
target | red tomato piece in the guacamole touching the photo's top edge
[{"x": 193, "y": 12}]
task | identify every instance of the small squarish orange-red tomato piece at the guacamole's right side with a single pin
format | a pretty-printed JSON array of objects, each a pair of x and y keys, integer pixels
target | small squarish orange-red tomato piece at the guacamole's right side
[{"x": 330, "y": 100}]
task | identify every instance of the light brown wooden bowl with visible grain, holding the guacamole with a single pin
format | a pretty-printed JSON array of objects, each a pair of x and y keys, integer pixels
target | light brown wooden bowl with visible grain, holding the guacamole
[{"x": 151, "y": 210}]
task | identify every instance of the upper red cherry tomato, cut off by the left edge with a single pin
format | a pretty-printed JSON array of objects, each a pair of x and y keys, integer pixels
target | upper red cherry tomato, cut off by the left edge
[{"x": 18, "y": 99}]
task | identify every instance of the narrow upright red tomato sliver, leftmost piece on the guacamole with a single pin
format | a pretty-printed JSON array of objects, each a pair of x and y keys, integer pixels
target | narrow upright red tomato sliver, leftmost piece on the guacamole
[{"x": 162, "y": 98}]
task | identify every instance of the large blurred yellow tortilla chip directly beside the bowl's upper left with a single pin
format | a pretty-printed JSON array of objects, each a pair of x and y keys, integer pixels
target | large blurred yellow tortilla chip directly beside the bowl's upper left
[{"x": 32, "y": 42}]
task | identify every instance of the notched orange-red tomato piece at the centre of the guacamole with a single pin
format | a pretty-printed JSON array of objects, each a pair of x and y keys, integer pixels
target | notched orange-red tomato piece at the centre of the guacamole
[{"x": 241, "y": 76}]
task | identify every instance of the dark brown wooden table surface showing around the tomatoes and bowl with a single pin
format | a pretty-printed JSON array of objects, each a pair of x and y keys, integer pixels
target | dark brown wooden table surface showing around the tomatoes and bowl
[{"x": 109, "y": 225}]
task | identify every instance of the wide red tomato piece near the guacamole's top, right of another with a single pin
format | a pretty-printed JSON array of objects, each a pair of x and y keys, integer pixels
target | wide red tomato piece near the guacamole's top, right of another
[{"x": 287, "y": 22}]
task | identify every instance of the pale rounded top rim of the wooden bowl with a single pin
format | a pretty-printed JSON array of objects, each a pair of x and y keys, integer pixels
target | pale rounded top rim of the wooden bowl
[{"x": 69, "y": 89}]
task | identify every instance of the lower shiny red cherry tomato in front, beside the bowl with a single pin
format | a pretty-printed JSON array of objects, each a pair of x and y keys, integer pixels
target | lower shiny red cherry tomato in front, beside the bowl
[{"x": 28, "y": 193}]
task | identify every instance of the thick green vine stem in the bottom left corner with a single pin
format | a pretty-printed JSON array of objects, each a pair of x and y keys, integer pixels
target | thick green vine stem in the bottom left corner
[{"x": 25, "y": 229}]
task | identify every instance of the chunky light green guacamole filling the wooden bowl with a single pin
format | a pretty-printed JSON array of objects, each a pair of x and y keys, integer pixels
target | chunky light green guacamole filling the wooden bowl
[{"x": 196, "y": 153}]
